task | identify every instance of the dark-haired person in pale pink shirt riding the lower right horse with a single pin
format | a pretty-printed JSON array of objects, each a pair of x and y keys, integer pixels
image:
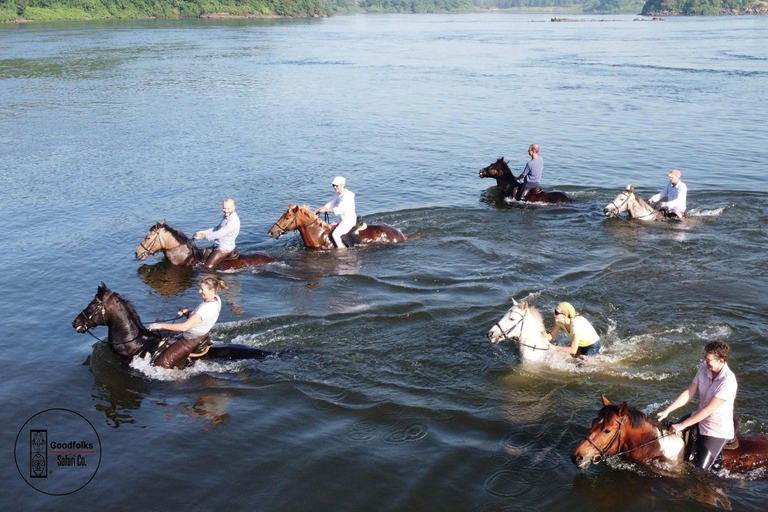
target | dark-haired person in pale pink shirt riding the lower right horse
[{"x": 716, "y": 386}]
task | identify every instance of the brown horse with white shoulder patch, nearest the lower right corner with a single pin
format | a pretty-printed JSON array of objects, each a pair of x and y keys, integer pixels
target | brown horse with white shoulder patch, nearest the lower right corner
[{"x": 620, "y": 430}]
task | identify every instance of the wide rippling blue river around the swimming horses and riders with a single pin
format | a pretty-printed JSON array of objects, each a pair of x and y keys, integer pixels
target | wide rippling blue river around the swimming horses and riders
[{"x": 393, "y": 400}]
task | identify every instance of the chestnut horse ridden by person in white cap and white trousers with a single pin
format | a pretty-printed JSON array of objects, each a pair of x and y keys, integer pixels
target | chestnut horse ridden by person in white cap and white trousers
[{"x": 317, "y": 234}]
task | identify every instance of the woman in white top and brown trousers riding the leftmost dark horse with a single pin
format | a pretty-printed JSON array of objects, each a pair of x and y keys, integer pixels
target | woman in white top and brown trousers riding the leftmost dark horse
[{"x": 194, "y": 332}]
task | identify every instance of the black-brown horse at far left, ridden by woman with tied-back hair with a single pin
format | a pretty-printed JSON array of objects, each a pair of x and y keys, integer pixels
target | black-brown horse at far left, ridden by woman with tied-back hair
[{"x": 128, "y": 336}]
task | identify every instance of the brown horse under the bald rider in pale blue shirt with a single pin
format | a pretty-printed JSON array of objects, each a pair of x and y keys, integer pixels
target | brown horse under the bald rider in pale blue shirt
[{"x": 181, "y": 251}]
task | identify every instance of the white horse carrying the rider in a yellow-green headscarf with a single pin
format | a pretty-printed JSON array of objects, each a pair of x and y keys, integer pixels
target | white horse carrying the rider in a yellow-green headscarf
[{"x": 524, "y": 324}]
